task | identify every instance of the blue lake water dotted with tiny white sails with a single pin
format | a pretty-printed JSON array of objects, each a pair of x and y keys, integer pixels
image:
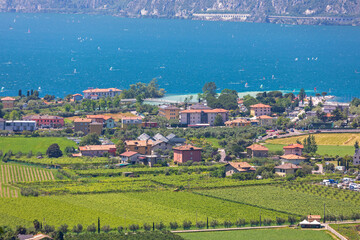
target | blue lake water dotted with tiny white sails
[{"x": 66, "y": 54}]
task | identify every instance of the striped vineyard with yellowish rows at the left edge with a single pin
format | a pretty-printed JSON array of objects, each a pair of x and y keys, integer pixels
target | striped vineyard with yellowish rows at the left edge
[{"x": 11, "y": 174}]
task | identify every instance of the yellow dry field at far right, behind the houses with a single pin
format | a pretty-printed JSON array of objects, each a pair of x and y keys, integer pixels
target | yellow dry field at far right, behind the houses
[{"x": 341, "y": 139}]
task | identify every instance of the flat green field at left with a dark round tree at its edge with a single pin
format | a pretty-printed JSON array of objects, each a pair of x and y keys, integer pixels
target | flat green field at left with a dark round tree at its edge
[{"x": 27, "y": 144}]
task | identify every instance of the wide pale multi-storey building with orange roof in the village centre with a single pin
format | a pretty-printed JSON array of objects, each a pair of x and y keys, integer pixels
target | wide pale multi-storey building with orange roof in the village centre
[{"x": 202, "y": 117}]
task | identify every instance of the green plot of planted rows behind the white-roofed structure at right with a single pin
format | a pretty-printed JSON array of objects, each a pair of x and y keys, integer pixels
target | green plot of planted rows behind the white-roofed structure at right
[{"x": 285, "y": 200}]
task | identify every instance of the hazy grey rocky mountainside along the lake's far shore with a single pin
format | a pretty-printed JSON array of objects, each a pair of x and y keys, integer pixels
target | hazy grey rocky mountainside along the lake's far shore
[{"x": 287, "y": 11}]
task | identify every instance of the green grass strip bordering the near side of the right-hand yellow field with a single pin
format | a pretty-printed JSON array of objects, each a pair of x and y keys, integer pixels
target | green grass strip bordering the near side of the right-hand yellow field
[{"x": 322, "y": 149}]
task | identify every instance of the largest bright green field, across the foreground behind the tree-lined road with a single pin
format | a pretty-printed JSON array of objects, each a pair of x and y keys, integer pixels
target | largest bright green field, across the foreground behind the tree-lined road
[{"x": 120, "y": 209}]
